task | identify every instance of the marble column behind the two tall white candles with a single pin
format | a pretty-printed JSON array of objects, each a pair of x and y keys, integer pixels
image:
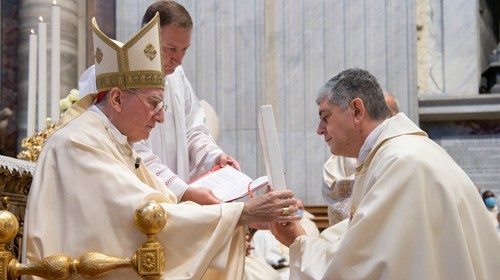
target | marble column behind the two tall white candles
[{"x": 29, "y": 11}]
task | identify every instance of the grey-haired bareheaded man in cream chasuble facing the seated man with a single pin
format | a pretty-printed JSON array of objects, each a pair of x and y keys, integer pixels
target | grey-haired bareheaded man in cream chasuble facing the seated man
[{"x": 414, "y": 213}]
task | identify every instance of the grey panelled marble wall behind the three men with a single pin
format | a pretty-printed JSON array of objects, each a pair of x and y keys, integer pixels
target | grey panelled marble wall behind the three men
[{"x": 249, "y": 53}]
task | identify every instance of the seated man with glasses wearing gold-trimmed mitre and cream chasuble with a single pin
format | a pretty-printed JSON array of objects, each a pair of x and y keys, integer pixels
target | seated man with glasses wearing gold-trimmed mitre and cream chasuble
[{"x": 89, "y": 181}]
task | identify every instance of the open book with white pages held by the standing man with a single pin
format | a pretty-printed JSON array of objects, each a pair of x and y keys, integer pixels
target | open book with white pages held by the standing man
[{"x": 229, "y": 184}]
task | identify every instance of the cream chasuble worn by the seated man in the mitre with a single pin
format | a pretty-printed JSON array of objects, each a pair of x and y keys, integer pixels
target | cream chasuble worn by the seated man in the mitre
[{"x": 84, "y": 194}]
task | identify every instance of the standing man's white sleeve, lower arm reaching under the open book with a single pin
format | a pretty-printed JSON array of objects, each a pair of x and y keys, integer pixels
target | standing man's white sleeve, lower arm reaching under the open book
[{"x": 154, "y": 164}]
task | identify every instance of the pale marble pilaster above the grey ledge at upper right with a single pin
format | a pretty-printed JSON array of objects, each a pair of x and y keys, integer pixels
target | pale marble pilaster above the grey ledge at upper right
[{"x": 449, "y": 47}]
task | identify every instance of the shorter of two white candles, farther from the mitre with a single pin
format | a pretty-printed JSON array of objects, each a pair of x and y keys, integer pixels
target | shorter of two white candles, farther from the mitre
[{"x": 42, "y": 73}]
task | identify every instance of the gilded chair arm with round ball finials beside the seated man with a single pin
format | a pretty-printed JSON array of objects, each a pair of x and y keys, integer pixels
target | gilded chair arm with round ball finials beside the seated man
[{"x": 148, "y": 261}]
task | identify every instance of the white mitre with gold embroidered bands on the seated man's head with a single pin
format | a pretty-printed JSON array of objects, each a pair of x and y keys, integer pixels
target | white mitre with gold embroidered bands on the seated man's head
[{"x": 135, "y": 64}]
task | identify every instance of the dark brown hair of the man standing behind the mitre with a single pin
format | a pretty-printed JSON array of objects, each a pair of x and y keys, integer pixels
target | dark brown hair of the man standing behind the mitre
[{"x": 171, "y": 13}]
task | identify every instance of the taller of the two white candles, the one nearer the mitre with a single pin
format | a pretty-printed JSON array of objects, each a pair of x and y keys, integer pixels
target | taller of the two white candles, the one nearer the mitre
[{"x": 55, "y": 78}]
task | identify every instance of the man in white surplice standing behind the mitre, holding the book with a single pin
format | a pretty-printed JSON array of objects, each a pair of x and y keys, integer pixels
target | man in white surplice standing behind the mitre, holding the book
[{"x": 180, "y": 148}]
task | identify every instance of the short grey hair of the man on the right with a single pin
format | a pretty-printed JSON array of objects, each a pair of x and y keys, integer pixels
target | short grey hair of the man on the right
[{"x": 355, "y": 83}]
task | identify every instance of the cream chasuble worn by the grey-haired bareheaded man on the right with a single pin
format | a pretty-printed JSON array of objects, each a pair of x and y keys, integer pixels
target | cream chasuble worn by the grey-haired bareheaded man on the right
[{"x": 415, "y": 215}]
